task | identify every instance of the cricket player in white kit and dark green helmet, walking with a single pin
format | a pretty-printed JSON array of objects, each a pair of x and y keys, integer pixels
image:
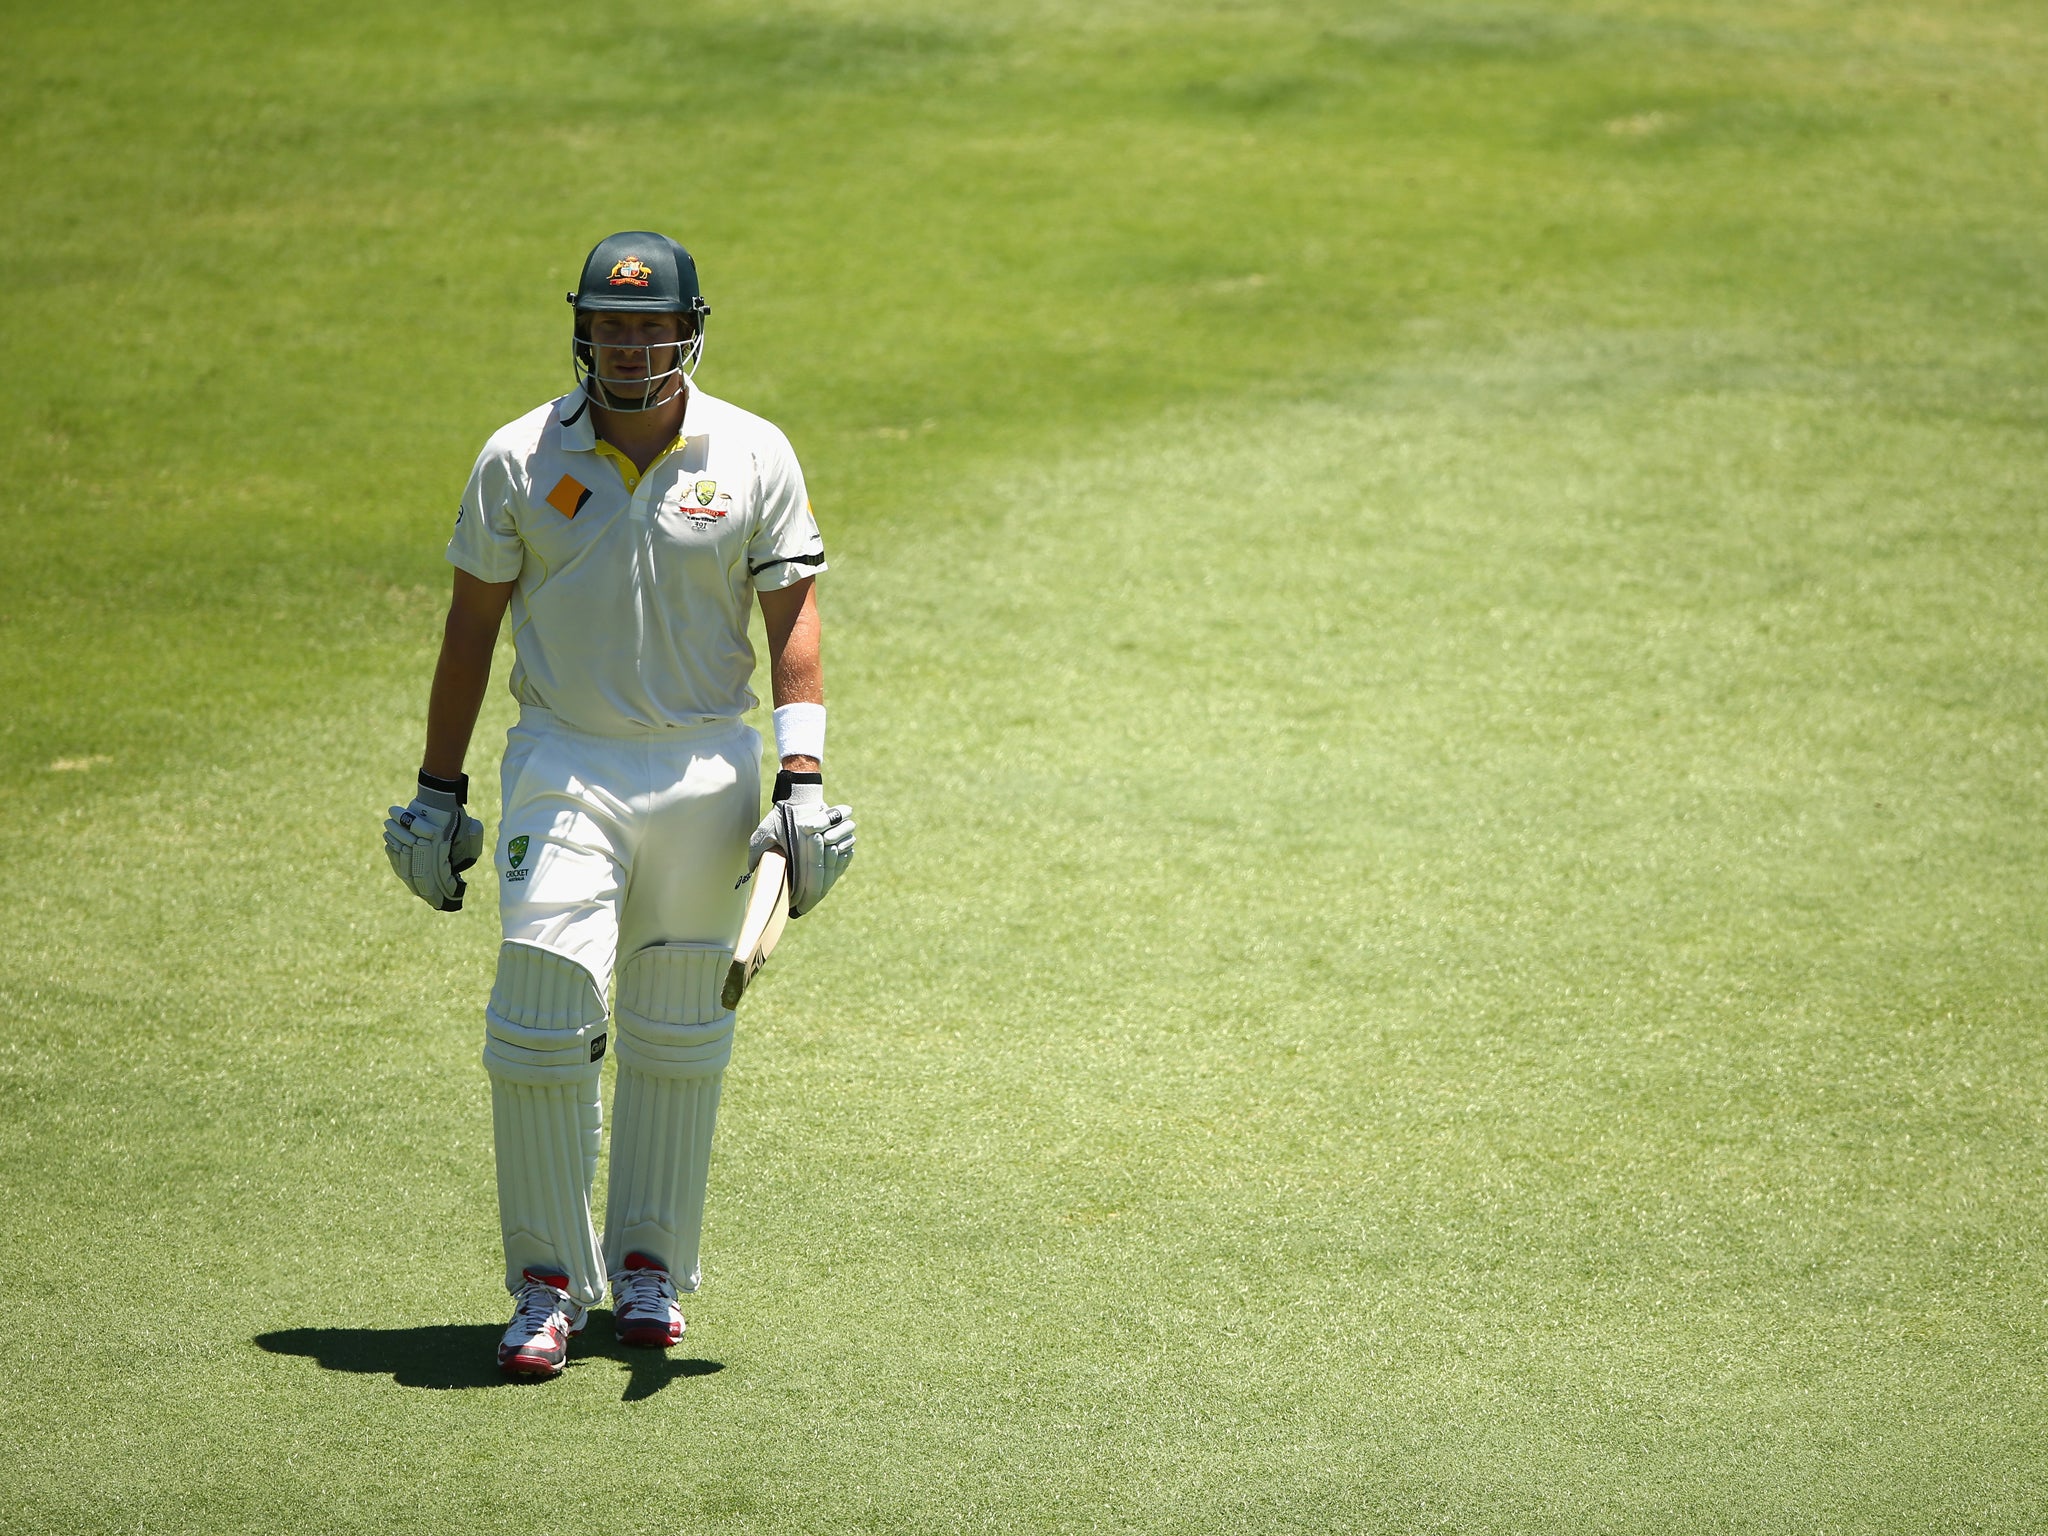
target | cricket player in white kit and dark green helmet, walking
[{"x": 628, "y": 525}]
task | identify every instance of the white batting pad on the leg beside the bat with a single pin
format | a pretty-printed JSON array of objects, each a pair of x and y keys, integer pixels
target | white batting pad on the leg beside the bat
[{"x": 675, "y": 1041}]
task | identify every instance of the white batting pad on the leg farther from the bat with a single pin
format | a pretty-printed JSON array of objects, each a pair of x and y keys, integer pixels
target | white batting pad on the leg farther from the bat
[{"x": 544, "y": 1035}]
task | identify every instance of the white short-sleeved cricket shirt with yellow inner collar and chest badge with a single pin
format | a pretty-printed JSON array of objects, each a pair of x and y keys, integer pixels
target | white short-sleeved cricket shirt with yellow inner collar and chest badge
[{"x": 632, "y": 605}]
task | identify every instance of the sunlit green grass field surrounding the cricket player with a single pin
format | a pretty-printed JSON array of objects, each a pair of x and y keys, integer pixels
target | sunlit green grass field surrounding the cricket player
[{"x": 1441, "y": 636}]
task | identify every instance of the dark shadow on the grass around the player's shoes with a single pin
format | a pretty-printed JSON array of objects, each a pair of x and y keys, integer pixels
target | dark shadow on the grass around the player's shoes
[{"x": 445, "y": 1357}]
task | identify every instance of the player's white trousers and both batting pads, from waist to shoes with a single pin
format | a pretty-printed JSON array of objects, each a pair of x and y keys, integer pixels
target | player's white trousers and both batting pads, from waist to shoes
[{"x": 613, "y": 857}]
